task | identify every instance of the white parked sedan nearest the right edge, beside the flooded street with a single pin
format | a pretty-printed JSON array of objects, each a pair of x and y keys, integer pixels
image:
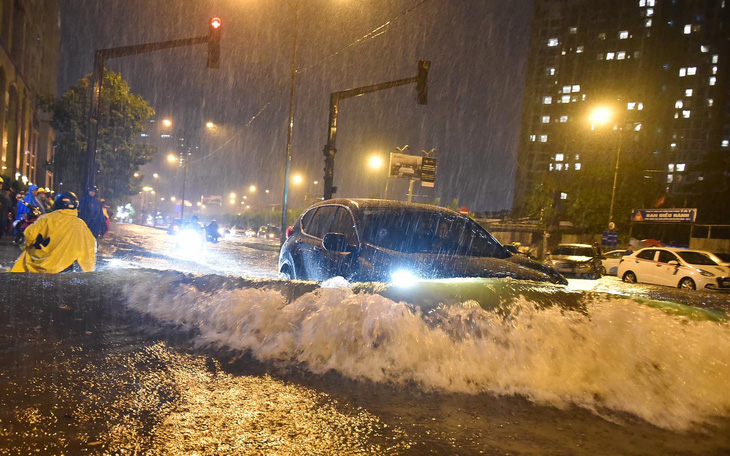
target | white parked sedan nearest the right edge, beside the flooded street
[{"x": 689, "y": 269}]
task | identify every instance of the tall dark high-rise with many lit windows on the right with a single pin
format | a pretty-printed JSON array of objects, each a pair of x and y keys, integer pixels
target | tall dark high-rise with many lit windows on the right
[{"x": 660, "y": 66}]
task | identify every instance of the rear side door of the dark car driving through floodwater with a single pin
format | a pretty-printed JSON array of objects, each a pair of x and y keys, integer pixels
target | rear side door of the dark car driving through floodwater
[{"x": 310, "y": 244}]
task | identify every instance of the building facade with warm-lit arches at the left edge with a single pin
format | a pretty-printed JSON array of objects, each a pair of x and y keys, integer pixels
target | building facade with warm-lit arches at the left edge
[{"x": 29, "y": 50}]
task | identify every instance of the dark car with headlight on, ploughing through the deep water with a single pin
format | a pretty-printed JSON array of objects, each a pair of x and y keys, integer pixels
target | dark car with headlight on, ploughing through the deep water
[{"x": 371, "y": 240}]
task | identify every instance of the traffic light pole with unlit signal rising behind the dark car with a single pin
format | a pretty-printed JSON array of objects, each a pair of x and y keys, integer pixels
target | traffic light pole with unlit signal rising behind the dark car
[{"x": 330, "y": 148}]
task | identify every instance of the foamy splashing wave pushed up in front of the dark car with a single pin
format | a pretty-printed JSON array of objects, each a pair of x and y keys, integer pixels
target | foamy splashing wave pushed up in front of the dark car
[{"x": 619, "y": 356}]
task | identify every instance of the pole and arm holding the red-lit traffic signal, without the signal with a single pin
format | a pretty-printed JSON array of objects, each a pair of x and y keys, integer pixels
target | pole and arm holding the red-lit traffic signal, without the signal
[{"x": 97, "y": 79}]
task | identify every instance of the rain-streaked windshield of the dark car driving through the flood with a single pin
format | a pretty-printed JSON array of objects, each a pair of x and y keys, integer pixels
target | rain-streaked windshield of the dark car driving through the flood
[{"x": 419, "y": 231}]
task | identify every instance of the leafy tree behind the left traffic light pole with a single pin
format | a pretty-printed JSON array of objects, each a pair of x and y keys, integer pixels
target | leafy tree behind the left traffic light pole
[{"x": 122, "y": 117}]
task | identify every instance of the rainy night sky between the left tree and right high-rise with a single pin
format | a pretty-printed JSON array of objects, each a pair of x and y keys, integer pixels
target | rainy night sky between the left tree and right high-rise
[{"x": 478, "y": 51}]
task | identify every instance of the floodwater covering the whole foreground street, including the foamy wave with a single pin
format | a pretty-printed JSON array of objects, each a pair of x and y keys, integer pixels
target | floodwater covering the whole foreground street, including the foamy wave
[{"x": 135, "y": 361}]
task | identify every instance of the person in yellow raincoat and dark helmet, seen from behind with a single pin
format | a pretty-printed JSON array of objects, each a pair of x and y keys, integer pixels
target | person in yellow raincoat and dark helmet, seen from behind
[{"x": 58, "y": 239}]
